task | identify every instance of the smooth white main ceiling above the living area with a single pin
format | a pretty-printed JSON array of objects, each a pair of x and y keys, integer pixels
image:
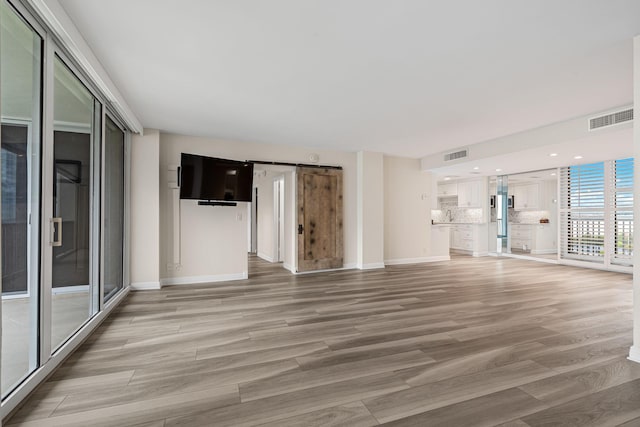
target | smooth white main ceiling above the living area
[{"x": 403, "y": 77}]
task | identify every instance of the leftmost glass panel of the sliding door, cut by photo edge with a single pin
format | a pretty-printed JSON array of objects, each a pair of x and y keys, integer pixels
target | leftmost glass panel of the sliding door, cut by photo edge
[{"x": 21, "y": 62}]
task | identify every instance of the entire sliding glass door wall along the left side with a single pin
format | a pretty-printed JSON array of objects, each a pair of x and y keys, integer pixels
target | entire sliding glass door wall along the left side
[{"x": 62, "y": 162}]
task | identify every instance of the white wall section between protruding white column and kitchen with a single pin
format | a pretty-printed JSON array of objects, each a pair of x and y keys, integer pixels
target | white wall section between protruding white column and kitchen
[{"x": 407, "y": 211}]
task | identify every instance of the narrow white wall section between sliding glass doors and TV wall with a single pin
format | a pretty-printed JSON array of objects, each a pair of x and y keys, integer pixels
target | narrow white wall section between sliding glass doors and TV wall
[{"x": 145, "y": 210}]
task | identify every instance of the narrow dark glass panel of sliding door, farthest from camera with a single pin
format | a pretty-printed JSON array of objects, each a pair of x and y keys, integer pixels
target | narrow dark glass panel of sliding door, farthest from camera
[{"x": 113, "y": 232}]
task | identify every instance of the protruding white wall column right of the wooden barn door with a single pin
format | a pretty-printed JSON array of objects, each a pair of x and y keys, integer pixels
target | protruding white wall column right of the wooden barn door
[{"x": 370, "y": 210}]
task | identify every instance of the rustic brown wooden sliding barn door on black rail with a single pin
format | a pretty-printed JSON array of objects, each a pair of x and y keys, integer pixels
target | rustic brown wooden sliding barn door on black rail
[{"x": 320, "y": 234}]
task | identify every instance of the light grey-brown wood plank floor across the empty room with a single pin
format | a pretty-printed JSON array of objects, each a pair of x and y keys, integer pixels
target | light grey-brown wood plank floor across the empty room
[{"x": 471, "y": 342}]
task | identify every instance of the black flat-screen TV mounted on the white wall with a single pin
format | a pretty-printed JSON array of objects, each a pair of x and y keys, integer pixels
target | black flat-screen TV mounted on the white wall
[{"x": 209, "y": 178}]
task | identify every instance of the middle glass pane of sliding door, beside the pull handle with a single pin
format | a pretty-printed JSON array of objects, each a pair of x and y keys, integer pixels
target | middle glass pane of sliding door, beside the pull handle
[{"x": 72, "y": 282}]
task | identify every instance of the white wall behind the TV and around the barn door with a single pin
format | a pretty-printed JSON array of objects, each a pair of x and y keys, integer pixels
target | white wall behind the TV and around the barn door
[{"x": 214, "y": 222}]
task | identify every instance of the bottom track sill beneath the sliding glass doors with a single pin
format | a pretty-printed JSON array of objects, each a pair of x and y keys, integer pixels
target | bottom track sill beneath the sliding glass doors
[{"x": 11, "y": 402}]
